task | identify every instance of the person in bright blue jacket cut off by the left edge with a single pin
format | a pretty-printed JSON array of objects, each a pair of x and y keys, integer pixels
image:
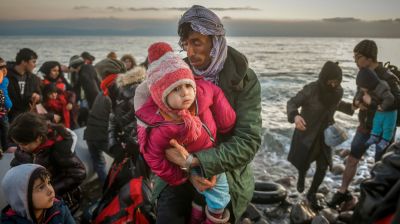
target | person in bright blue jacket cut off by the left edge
[{"x": 5, "y": 106}]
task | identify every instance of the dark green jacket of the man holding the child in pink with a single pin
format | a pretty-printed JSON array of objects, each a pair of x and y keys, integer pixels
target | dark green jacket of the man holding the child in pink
[{"x": 235, "y": 152}]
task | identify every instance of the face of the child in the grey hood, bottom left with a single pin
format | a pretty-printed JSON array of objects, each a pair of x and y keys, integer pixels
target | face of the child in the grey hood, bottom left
[{"x": 42, "y": 194}]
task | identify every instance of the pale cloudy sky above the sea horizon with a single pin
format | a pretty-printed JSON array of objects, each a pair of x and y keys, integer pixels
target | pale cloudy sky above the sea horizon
[{"x": 235, "y": 9}]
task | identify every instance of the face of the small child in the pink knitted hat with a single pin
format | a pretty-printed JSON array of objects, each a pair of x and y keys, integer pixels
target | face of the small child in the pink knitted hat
[{"x": 182, "y": 97}]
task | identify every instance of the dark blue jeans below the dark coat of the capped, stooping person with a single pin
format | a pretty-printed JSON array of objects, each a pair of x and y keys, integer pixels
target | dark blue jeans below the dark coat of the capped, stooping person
[{"x": 96, "y": 149}]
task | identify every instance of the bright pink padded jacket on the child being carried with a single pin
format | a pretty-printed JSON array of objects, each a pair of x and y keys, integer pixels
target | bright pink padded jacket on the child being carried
[{"x": 154, "y": 132}]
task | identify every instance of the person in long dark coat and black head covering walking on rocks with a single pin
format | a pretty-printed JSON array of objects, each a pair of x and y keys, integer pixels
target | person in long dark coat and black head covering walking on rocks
[{"x": 318, "y": 101}]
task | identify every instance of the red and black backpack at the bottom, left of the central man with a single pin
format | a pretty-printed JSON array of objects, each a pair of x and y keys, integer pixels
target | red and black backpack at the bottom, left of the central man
[{"x": 126, "y": 194}]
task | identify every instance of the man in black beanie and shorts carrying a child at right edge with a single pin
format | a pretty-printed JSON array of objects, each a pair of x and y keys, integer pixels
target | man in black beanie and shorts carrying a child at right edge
[{"x": 365, "y": 56}]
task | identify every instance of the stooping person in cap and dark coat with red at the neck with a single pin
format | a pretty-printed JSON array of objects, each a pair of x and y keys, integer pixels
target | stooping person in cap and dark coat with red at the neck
[{"x": 96, "y": 133}]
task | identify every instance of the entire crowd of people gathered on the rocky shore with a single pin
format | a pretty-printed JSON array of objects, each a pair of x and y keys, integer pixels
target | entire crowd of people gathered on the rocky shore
[{"x": 195, "y": 123}]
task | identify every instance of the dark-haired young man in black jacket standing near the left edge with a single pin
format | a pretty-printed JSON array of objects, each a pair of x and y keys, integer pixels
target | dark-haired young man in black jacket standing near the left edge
[{"x": 24, "y": 87}]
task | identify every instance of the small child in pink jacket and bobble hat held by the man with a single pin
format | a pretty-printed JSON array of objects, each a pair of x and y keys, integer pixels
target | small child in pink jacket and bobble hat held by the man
[{"x": 190, "y": 111}]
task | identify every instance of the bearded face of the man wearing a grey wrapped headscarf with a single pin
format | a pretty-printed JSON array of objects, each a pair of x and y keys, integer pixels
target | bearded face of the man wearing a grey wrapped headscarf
[{"x": 198, "y": 48}]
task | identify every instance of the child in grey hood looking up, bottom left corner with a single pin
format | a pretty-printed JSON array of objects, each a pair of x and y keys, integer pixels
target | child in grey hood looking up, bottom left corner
[{"x": 31, "y": 197}]
